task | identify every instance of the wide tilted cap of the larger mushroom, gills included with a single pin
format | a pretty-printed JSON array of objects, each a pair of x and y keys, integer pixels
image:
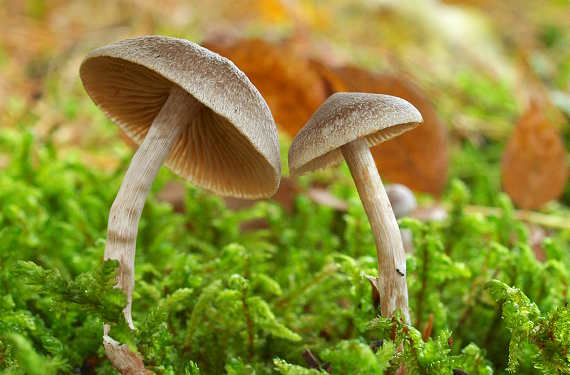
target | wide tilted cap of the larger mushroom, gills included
[{"x": 230, "y": 147}]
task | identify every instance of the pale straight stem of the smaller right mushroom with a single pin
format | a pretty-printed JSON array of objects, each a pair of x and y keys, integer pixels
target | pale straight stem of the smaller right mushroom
[{"x": 391, "y": 281}]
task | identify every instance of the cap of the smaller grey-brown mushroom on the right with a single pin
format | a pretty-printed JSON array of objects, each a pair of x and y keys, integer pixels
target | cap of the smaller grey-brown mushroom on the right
[{"x": 343, "y": 118}]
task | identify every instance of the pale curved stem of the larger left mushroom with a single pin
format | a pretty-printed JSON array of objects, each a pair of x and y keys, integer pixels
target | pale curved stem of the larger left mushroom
[{"x": 129, "y": 202}]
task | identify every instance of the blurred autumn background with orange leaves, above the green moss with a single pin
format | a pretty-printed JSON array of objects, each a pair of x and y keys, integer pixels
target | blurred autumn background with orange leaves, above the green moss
[{"x": 491, "y": 78}]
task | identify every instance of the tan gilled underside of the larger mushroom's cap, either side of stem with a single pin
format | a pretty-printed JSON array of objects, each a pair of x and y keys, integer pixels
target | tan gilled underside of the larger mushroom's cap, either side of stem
[{"x": 211, "y": 152}]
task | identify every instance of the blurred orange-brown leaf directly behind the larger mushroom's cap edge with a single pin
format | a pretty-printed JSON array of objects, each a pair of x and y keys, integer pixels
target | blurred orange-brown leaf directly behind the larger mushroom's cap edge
[{"x": 291, "y": 88}]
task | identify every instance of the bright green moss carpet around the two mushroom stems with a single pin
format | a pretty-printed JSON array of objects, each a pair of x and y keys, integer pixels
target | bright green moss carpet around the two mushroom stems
[{"x": 211, "y": 298}]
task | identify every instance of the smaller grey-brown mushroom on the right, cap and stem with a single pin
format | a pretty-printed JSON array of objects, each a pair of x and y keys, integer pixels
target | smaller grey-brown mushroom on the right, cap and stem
[{"x": 347, "y": 125}]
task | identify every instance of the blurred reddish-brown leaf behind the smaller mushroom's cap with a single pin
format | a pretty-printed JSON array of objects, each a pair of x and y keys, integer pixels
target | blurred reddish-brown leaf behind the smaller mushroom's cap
[{"x": 417, "y": 159}]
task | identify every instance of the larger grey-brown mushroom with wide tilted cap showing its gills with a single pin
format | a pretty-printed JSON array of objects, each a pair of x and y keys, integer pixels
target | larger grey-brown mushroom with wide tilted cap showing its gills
[{"x": 189, "y": 108}]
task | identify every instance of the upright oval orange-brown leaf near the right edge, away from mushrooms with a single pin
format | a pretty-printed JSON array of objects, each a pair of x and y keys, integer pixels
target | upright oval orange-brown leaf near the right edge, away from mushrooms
[{"x": 534, "y": 166}]
